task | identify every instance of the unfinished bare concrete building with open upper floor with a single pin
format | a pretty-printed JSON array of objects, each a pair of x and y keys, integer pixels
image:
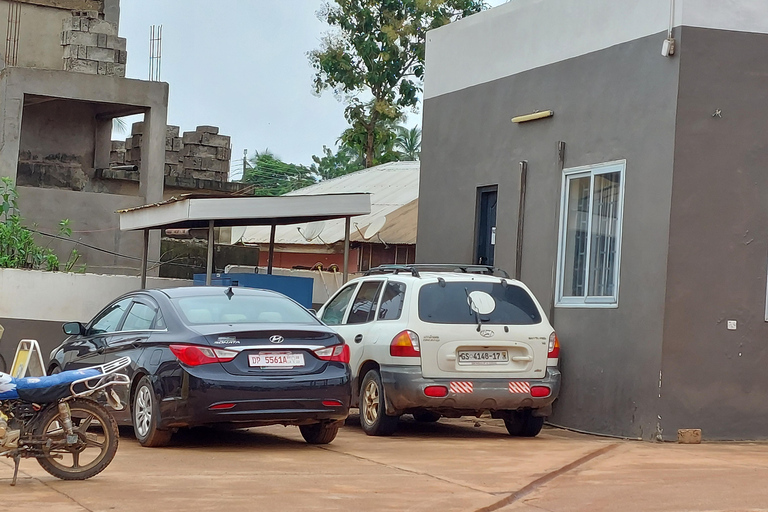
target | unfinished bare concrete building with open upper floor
[{"x": 61, "y": 86}]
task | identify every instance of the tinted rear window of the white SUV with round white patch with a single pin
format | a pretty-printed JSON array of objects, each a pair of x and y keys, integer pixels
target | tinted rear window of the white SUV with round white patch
[{"x": 450, "y": 303}]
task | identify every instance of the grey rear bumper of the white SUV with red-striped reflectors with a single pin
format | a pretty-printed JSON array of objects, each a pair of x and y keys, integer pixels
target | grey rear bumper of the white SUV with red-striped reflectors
[{"x": 404, "y": 391}]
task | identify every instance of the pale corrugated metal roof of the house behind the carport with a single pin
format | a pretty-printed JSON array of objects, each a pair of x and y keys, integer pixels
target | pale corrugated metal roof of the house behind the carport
[{"x": 394, "y": 189}]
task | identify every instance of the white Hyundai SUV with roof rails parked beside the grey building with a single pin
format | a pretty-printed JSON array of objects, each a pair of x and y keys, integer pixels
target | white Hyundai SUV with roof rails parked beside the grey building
[{"x": 446, "y": 340}]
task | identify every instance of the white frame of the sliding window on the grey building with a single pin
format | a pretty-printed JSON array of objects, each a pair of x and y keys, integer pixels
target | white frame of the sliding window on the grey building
[{"x": 580, "y": 172}]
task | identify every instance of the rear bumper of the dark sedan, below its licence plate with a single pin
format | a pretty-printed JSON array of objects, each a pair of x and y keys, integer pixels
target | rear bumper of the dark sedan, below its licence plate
[{"x": 242, "y": 401}]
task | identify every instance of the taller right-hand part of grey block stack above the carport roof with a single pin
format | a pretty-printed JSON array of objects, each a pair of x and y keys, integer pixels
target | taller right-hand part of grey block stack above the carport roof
[{"x": 205, "y": 154}]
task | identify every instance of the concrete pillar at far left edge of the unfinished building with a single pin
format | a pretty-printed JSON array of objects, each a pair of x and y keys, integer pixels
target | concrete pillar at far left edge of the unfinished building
[{"x": 11, "y": 110}]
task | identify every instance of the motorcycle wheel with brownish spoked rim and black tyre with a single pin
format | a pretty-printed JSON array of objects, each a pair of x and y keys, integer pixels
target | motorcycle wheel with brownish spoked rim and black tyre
[{"x": 94, "y": 449}]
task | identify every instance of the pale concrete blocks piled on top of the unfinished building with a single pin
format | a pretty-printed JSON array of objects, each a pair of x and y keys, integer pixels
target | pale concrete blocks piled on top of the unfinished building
[{"x": 91, "y": 45}]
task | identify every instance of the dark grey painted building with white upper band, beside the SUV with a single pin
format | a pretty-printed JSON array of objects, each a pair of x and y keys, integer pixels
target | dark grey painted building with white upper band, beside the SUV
[{"x": 633, "y": 203}]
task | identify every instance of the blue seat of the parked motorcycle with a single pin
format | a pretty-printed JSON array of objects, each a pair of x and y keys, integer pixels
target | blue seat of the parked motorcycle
[{"x": 42, "y": 389}]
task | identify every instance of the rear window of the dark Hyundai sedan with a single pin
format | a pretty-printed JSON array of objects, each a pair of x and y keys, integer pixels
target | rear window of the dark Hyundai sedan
[{"x": 242, "y": 309}]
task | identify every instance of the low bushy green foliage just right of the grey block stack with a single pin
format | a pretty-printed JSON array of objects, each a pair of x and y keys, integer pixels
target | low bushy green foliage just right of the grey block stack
[{"x": 273, "y": 177}]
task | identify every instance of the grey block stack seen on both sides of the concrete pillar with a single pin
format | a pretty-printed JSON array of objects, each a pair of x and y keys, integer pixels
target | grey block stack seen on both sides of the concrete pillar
[{"x": 202, "y": 154}]
